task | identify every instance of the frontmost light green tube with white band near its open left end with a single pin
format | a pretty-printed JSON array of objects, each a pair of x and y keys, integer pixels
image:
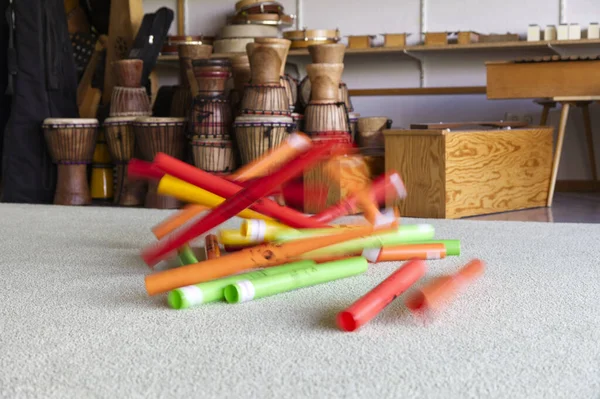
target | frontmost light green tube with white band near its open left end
[{"x": 246, "y": 290}]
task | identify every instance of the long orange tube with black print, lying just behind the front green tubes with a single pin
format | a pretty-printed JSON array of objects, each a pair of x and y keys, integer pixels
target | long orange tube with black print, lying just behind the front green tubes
[{"x": 263, "y": 255}]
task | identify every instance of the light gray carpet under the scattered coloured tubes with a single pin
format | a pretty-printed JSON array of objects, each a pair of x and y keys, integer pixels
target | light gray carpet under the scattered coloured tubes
[{"x": 75, "y": 321}]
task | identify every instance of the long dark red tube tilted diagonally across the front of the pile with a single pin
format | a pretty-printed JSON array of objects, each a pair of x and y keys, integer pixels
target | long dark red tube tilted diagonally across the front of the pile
[{"x": 233, "y": 205}]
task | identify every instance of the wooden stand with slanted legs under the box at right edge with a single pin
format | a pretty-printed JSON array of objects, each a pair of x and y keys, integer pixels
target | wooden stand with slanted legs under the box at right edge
[{"x": 566, "y": 102}]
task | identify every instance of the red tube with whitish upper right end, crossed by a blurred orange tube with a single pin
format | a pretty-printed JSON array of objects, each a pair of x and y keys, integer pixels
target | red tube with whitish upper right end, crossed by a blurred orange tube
[{"x": 382, "y": 187}]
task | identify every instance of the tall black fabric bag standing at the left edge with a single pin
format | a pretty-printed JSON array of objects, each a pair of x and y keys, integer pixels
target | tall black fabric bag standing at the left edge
[{"x": 45, "y": 86}]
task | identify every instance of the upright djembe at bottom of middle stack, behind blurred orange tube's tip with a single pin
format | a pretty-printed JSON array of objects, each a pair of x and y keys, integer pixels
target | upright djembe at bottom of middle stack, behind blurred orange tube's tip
[{"x": 258, "y": 134}]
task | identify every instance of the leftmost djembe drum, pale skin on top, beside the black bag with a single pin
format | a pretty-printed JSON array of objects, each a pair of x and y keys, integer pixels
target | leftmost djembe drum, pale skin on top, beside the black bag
[{"x": 71, "y": 143}]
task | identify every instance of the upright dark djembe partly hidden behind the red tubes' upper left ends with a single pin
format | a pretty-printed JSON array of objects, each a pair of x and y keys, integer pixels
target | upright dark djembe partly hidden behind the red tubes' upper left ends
[{"x": 166, "y": 135}]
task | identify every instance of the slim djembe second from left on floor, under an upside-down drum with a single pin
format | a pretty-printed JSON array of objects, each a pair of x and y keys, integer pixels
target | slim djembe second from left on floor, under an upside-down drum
[{"x": 120, "y": 137}]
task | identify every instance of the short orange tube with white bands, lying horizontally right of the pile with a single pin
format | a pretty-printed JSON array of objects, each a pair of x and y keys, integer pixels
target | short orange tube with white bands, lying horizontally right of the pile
[{"x": 405, "y": 252}]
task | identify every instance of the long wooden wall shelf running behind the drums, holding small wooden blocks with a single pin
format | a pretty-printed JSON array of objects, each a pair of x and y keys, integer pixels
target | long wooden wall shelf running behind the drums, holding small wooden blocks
[{"x": 524, "y": 45}]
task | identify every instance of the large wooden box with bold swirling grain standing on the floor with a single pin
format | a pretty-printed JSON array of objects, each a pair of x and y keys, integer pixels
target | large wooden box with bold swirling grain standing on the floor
[{"x": 459, "y": 173}]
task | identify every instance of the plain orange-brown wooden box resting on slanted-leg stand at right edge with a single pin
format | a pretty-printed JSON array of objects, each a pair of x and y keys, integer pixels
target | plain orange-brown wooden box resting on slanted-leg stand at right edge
[{"x": 511, "y": 80}]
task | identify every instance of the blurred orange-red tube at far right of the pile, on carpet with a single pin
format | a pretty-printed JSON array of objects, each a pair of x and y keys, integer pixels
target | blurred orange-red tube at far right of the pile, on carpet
[{"x": 435, "y": 294}]
